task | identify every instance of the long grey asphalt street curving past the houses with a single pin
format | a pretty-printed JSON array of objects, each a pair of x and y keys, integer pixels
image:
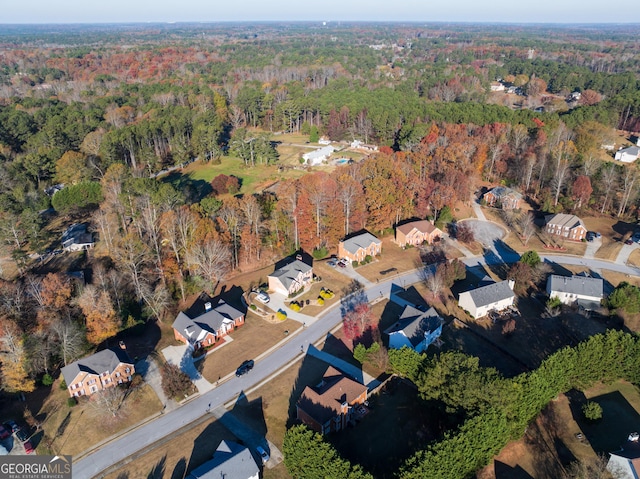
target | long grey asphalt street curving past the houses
[{"x": 118, "y": 450}]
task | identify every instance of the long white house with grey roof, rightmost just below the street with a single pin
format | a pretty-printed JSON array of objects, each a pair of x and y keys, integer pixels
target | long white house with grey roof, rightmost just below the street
[{"x": 587, "y": 292}]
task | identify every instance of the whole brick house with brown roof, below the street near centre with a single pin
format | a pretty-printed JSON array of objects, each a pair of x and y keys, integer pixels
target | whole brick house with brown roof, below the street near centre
[{"x": 329, "y": 406}]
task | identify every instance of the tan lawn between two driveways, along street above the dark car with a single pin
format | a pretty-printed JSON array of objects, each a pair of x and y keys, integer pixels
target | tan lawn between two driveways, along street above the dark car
[{"x": 256, "y": 336}]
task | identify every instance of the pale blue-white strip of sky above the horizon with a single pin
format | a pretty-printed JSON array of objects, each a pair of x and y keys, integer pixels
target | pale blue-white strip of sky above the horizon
[{"x": 507, "y": 11}]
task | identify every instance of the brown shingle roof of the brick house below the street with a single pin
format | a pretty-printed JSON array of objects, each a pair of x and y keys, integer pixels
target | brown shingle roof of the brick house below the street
[{"x": 324, "y": 401}]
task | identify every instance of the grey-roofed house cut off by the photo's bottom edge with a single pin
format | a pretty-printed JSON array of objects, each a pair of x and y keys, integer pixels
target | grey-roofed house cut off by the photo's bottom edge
[{"x": 230, "y": 461}]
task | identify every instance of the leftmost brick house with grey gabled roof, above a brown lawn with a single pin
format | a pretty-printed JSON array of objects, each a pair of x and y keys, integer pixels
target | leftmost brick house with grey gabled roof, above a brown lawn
[{"x": 99, "y": 371}]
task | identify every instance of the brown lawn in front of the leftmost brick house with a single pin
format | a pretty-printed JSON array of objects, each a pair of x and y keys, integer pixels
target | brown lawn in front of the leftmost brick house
[{"x": 63, "y": 423}]
